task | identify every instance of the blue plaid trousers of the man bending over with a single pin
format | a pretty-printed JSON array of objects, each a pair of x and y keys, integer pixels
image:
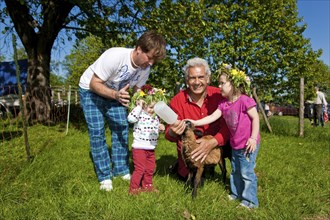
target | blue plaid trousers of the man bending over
[{"x": 96, "y": 110}]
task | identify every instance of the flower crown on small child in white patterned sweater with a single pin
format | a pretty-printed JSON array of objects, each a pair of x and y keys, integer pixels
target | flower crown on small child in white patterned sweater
[{"x": 149, "y": 95}]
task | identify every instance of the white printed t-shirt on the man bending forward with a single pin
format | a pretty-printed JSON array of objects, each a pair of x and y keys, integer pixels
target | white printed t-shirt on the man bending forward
[{"x": 115, "y": 68}]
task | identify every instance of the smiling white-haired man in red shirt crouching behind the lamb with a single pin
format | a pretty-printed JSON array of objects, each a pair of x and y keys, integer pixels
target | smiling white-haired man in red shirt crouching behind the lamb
[{"x": 196, "y": 102}]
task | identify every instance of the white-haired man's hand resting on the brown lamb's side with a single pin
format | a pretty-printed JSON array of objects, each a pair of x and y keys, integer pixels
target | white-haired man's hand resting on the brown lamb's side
[{"x": 204, "y": 148}]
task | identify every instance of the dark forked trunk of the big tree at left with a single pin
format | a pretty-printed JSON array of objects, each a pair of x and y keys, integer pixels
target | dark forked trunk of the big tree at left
[{"x": 38, "y": 39}]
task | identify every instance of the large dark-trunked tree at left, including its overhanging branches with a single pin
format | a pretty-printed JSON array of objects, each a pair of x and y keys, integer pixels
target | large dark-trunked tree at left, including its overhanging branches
[{"x": 38, "y": 23}]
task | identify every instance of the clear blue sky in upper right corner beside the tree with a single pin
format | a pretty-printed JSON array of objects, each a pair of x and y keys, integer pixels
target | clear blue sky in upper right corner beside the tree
[{"x": 316, "y": 16}]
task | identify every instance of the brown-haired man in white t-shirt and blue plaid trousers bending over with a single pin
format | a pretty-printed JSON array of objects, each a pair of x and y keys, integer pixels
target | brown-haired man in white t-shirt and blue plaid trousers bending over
[{"x": 103, "y": 90}]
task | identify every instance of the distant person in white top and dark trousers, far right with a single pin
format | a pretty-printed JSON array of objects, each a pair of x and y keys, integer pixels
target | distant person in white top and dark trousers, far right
[{"x": 320, "y": 102}]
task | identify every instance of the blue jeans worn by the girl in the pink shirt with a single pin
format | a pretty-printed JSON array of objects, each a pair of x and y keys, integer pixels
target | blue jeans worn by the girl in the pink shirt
[{"x": 243, "y": 180}]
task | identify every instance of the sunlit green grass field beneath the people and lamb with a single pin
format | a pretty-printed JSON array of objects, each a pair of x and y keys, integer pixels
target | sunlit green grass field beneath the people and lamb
[{"x": 60, "y": 183}]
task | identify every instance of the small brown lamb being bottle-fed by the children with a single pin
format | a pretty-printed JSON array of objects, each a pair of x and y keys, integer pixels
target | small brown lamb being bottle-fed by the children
[{"x": 196, "y": 168}]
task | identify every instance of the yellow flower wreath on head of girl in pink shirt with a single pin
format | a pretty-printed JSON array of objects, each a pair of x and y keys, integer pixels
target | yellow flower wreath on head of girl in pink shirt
[{"x": 237, "y": 77}]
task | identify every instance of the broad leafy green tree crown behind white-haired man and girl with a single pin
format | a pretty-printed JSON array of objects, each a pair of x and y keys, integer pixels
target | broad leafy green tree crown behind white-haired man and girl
[{"x": 263, "y": 38}]
